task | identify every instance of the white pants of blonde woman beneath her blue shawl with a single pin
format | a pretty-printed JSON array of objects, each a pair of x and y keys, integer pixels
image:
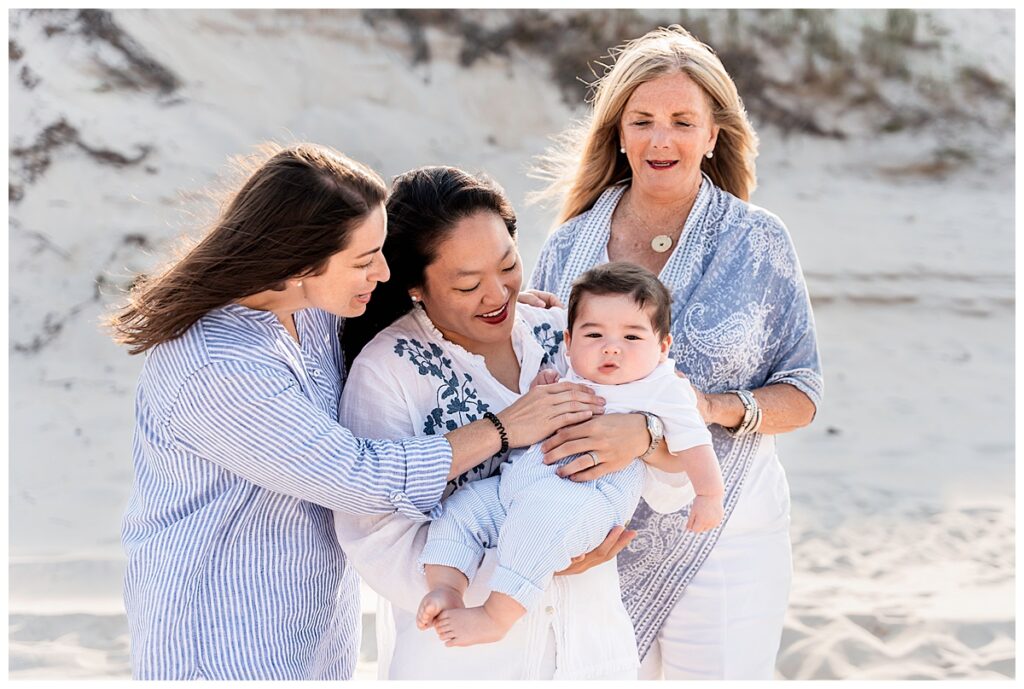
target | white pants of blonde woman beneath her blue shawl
[{"x": 729, "y": 623}]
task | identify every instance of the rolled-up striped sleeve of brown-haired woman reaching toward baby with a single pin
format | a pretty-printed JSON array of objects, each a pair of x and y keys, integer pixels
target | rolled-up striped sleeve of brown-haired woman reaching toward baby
[{"x": 257, "y": 422}]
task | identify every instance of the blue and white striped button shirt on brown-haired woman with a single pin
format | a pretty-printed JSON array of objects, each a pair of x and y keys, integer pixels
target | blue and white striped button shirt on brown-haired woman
[{"x": 234, "y": 570}]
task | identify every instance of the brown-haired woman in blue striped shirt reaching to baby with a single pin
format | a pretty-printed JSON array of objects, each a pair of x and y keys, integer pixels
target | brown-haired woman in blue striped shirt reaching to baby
[{"x": 234, "y": 571}]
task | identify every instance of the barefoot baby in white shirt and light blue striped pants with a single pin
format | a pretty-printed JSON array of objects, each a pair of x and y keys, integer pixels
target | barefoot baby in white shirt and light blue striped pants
[{"x": 618, "y": 342}]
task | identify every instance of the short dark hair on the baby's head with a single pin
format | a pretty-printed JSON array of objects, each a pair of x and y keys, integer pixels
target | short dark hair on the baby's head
[{"x": 625, "y": 279}]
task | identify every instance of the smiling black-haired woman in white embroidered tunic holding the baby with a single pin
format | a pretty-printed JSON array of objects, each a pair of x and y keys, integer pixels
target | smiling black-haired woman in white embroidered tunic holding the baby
[{"x": 464, "y": 350}]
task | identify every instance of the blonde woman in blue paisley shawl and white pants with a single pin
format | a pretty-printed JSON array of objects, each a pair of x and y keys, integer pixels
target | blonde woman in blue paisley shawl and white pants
[{"x": 660, "y": 176}]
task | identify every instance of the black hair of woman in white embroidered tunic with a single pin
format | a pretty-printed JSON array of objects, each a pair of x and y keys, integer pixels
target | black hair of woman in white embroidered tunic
[{"x": 423, "y": 207}]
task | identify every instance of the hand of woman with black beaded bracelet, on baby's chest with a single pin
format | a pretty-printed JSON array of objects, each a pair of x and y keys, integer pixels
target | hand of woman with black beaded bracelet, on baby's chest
[{"x": 546, "y": 409}]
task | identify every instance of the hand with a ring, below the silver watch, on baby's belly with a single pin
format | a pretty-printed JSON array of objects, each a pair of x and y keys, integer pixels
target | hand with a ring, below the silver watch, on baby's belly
[{"x": 616, "y": 439}]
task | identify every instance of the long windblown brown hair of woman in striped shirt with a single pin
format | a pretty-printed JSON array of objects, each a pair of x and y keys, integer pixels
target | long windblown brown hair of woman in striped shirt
[{"x": 295, "y": 210}]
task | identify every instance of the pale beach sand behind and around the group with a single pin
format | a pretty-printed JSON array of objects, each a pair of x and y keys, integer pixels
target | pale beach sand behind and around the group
[{"x": 903, "y": 489}]
